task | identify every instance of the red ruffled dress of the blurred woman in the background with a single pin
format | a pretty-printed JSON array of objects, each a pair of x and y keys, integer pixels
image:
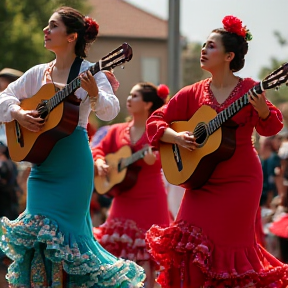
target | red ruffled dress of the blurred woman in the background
[{"x": 133, "y": 211}]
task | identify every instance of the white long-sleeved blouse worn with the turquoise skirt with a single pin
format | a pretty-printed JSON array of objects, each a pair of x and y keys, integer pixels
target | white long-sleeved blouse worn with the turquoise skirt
[{"x": 107, "y": 106}]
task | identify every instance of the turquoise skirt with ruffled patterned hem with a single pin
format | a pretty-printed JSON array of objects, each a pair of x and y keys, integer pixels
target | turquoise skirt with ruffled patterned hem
[{"x": 52, "y": 239}]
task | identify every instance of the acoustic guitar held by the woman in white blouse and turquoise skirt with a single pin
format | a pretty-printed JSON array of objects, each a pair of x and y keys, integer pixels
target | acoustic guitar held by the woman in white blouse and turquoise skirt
[{"x": 60, "y": 111}]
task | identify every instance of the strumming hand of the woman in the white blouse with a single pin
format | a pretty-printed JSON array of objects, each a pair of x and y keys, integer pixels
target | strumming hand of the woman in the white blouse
[{"x": 29, "y": 119}]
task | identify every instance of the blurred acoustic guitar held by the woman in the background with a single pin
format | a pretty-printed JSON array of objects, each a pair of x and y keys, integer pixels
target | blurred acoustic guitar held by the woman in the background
[{"x": 119, "y": 176}]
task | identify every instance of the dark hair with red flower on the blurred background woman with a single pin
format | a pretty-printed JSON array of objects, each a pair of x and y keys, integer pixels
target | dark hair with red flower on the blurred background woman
[{"x": 150, "y": 93}]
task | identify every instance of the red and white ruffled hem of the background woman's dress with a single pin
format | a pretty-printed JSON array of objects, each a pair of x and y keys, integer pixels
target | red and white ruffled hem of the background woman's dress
[{"x": 123, "y": 238}]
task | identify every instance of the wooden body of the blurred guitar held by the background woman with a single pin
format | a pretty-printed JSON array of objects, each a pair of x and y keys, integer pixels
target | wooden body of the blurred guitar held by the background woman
[{"x": 117, "y": 180}]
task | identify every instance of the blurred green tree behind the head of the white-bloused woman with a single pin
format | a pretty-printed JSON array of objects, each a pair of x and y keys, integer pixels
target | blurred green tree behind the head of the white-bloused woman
[{"x": 21, "y": 24}]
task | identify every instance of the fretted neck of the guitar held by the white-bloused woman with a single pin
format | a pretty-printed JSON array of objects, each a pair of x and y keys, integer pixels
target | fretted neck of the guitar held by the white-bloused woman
[{"x": 70, "y": 88}]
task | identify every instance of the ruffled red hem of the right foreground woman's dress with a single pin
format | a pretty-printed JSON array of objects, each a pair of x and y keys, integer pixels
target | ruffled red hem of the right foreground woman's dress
[{"x": 182, "y": 243}]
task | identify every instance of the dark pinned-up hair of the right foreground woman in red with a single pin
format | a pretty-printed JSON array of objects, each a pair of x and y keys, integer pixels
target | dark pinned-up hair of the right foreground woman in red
[{"x": 236, "y": 44}]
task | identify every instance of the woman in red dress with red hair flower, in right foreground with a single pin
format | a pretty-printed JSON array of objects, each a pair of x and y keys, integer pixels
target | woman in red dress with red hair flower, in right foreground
[{"x": 212, "y": 242}]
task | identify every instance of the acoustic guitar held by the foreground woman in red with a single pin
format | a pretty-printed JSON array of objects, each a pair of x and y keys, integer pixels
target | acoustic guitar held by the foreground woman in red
[{"x": 215, "y": 134}]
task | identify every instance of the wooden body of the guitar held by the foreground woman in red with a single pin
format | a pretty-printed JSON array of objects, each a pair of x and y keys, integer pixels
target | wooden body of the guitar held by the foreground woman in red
[{"x": 199, "y": 164}]
